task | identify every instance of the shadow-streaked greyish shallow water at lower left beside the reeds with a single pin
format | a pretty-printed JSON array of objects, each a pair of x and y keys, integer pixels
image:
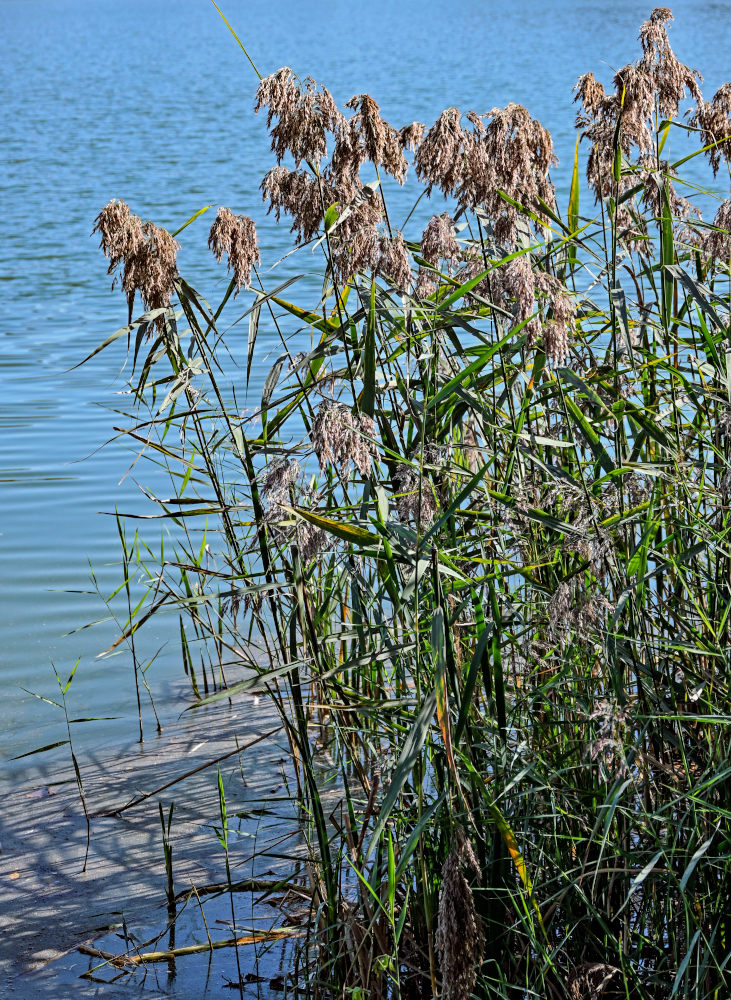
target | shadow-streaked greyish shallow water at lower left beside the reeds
[{"x": 118, "y": 906}]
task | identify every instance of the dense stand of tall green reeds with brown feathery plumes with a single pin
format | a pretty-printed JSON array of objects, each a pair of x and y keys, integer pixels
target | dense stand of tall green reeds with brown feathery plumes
[{"x": 474, "y": 542}]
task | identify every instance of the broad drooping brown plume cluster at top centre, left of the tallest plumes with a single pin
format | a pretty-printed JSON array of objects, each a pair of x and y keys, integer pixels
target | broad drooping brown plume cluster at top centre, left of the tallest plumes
[{"x": 504, "y": 150}]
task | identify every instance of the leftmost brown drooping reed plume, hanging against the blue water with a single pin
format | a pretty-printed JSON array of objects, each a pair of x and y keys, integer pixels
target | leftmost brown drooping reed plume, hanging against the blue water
[{"x": 146, "y": 253}]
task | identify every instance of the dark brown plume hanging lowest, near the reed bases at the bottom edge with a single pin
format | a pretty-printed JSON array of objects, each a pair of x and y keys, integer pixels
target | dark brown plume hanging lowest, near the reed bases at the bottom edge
[{"x": 459, "y": 939}]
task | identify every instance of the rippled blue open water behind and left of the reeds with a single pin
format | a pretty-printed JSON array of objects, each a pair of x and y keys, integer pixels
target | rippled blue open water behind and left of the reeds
[{"x": 151, "y": 101}]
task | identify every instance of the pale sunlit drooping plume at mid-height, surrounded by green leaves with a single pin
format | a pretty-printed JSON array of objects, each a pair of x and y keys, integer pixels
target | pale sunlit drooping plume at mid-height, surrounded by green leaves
[{"x": 340, "y": 437}]
